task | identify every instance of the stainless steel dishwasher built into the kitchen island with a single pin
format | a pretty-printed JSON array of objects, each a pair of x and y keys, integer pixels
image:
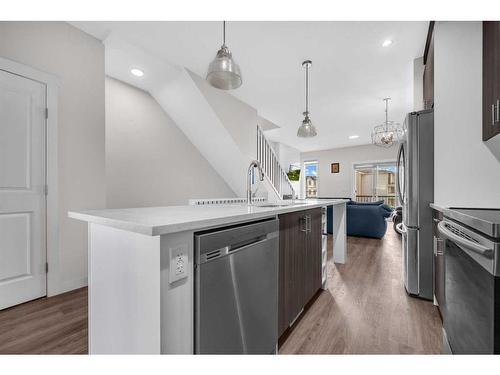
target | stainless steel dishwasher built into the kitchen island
[{"x": 236, "y": 289}]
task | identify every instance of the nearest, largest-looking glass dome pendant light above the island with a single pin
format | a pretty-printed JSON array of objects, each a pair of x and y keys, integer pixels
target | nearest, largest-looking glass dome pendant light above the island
[{"x": 223, "y": 72}]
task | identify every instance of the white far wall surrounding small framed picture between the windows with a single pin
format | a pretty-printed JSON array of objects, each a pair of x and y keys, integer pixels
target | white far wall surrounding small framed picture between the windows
[{"x": 341, "y": 184}]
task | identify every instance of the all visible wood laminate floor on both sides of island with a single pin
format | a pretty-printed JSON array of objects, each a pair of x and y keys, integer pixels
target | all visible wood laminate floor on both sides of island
[{"x": 364, "y": 310}]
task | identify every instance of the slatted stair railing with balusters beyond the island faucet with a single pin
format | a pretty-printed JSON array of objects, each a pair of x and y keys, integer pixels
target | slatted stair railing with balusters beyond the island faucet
[{"x": 275, "y": 174}]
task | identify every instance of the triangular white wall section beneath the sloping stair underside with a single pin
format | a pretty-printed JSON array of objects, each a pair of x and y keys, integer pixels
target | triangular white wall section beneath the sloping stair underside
[{"x": 149, "y": 161}]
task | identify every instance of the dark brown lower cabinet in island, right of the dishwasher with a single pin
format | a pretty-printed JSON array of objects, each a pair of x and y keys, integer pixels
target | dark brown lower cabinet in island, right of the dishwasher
[{"x": 299, "y": 263}]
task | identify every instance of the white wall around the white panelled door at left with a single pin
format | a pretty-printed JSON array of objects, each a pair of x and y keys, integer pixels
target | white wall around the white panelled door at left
[{"x": 77, "y": 59}]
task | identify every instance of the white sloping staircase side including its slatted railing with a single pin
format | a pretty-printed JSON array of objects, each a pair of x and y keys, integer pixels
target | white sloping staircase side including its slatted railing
[{"x": 222, "y": 127}]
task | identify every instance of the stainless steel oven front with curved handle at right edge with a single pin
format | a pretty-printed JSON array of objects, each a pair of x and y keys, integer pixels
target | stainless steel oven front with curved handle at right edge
[{"x": 471, "y": 311}]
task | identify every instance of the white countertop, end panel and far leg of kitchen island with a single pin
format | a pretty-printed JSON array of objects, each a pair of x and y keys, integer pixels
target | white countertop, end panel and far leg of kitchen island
[{"x": 141, "y": 270}]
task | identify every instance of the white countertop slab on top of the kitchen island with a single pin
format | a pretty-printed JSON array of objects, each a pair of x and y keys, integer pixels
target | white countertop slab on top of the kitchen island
[{"x": 155, "y": 221}]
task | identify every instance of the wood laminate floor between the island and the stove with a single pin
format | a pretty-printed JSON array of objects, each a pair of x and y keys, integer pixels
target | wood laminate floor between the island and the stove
[{"x": 365, "y": 309}]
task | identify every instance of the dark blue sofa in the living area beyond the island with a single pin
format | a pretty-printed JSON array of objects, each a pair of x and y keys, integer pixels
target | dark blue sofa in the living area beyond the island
[{"x": 364, "y": 219}]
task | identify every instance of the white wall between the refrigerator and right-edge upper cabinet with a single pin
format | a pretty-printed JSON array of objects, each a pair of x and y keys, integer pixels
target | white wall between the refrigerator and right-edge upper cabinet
[{"x": 466, "y": 170}]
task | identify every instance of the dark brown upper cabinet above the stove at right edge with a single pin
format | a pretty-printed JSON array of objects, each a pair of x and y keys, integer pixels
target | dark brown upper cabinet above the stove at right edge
[{"x": 491, "y": 79}]
